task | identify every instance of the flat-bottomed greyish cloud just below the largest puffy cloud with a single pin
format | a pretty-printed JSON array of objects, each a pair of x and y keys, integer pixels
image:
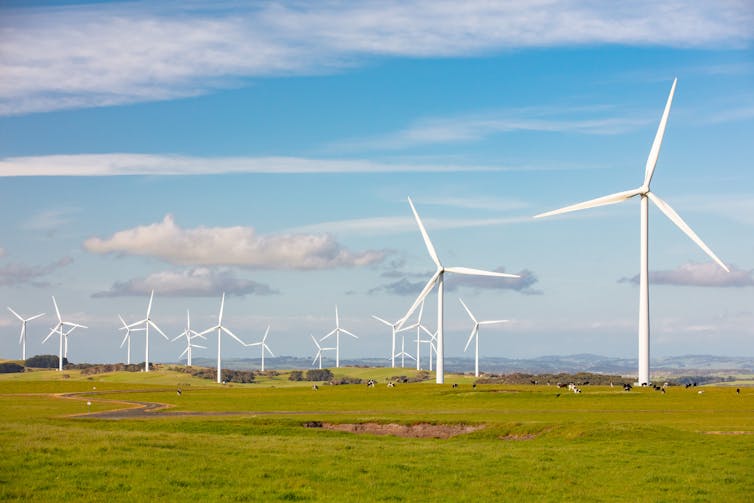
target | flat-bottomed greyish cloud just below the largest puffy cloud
[{"x": 194, "y": 282}]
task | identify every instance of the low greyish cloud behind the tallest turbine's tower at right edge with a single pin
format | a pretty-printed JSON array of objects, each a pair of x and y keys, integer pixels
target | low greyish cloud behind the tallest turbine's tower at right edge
[{"x": 704, "y": 274}]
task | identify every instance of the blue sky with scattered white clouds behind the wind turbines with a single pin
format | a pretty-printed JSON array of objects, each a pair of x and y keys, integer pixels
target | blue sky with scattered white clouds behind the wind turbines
[{"x": 267, "y": 150}]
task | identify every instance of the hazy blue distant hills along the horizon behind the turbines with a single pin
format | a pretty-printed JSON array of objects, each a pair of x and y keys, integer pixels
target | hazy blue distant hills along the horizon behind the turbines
[{"x": 674, "y": 365}]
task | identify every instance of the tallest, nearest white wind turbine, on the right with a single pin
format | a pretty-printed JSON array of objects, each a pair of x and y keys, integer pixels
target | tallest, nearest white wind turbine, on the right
[{"x": 645, "y": 195}]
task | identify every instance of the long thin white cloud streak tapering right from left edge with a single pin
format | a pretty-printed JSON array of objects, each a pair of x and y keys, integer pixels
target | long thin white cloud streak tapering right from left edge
[{"x": 147, "y": 164}]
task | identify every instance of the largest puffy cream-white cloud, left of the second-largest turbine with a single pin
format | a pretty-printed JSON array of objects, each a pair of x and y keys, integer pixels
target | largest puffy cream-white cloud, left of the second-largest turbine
[{"x": 239, "y": 246}]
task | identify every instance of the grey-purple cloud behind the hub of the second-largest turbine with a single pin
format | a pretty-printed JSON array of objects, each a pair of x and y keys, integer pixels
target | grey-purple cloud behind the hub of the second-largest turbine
[{"x": 453, "y": 282}]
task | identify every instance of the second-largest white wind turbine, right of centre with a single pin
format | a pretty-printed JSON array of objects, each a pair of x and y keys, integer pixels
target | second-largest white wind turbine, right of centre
[{"x": 438, "y": 279}]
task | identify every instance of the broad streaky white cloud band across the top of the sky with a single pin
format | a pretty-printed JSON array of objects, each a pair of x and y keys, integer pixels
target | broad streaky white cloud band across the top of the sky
[{"x": 109, "y": 54}]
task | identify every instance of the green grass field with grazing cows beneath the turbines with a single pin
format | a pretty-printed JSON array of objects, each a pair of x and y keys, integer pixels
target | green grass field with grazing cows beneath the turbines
[{"x": 248, "y": 442}]
